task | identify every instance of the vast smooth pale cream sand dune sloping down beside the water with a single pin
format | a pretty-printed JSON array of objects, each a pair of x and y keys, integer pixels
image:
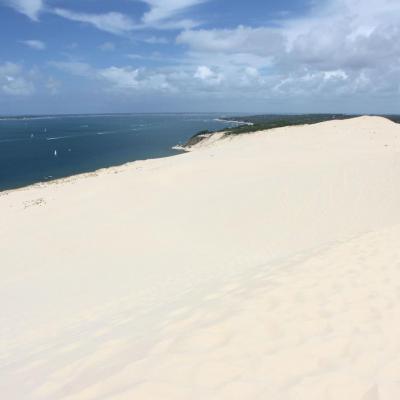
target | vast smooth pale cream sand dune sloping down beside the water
[{"x": 263, "y": 266}]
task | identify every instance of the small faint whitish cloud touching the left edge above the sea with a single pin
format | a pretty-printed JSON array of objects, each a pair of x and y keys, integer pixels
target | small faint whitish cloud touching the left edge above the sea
[{"x": 14, "y": 81}]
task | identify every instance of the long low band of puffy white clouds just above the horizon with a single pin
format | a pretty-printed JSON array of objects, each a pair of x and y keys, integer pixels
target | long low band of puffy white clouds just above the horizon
[{"x": 236, "y": 81}]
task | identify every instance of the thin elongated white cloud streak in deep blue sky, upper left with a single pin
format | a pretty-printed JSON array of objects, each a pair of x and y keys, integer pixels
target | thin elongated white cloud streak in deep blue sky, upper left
[{"x": 112, "y": 22}]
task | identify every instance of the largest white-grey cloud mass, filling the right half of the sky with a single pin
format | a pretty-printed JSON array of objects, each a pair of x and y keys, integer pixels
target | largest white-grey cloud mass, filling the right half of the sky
[{"x": 342, "y": 46}]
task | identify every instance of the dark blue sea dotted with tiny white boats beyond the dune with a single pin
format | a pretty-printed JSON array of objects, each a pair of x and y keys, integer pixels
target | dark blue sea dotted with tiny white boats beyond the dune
[{"x": 42, "y": 148}]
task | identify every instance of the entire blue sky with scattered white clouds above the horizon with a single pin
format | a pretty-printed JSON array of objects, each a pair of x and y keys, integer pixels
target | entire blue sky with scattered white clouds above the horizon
[{"x": 253, "y": 56}]
